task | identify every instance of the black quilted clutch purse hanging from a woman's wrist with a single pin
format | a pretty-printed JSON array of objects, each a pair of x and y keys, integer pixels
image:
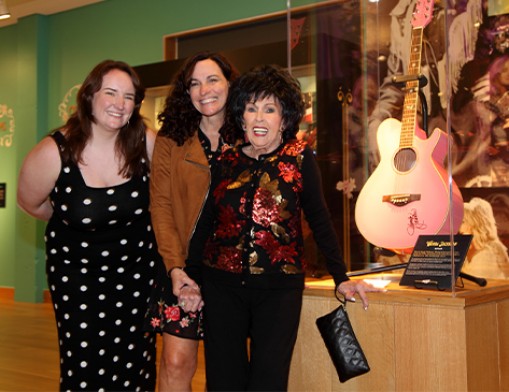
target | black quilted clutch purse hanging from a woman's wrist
[{"x": 344, "y": 348}]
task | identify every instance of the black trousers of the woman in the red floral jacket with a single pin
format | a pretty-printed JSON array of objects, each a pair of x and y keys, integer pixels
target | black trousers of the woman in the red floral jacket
[{"x": 267, "y": 319}]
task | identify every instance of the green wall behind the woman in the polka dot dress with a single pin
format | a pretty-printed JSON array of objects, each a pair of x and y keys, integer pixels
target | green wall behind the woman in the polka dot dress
[{"x": 42, "y": 57}]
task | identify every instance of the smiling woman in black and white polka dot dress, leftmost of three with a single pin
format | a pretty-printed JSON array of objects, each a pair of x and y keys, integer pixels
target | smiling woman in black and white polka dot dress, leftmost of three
[{"x": 90, "y": 181}]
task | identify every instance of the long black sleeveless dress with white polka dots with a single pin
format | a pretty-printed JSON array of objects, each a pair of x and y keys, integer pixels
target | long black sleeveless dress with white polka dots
[{"x": 101, "y": 263}]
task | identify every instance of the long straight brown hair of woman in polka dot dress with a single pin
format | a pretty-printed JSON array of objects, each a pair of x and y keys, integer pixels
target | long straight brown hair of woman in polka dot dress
[{"x": 130, "y": 143}]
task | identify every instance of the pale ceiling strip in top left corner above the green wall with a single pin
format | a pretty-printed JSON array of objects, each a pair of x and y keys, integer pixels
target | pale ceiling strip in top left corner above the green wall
[{"x": 20, "y": 8}]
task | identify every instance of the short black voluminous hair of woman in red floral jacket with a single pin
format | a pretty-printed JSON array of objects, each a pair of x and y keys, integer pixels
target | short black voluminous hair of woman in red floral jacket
[{"x": 264, "y": 81}]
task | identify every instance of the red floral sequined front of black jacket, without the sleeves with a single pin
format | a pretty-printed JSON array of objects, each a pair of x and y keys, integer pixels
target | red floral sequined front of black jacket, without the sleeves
[{"x": 260, "y": 211}]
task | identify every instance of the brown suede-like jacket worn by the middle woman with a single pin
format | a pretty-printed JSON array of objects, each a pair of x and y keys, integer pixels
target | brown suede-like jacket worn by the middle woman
[{"x": 179, "y": 183}]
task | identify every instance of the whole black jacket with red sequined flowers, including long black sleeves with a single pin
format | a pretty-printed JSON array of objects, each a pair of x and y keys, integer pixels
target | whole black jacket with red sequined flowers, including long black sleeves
[{"x": 251, "y": 223}]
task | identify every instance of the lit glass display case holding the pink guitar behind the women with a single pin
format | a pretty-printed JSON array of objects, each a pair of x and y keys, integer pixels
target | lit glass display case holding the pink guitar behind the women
[{"x": 406, "y": 110}]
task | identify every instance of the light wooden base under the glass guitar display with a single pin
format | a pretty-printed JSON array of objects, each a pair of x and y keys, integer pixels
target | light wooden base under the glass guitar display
[{"x": 414, "y": 339}]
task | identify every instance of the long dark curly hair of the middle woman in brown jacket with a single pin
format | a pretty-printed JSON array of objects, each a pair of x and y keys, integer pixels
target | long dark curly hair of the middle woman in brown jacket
[{"x": 180, "y": 119}]
